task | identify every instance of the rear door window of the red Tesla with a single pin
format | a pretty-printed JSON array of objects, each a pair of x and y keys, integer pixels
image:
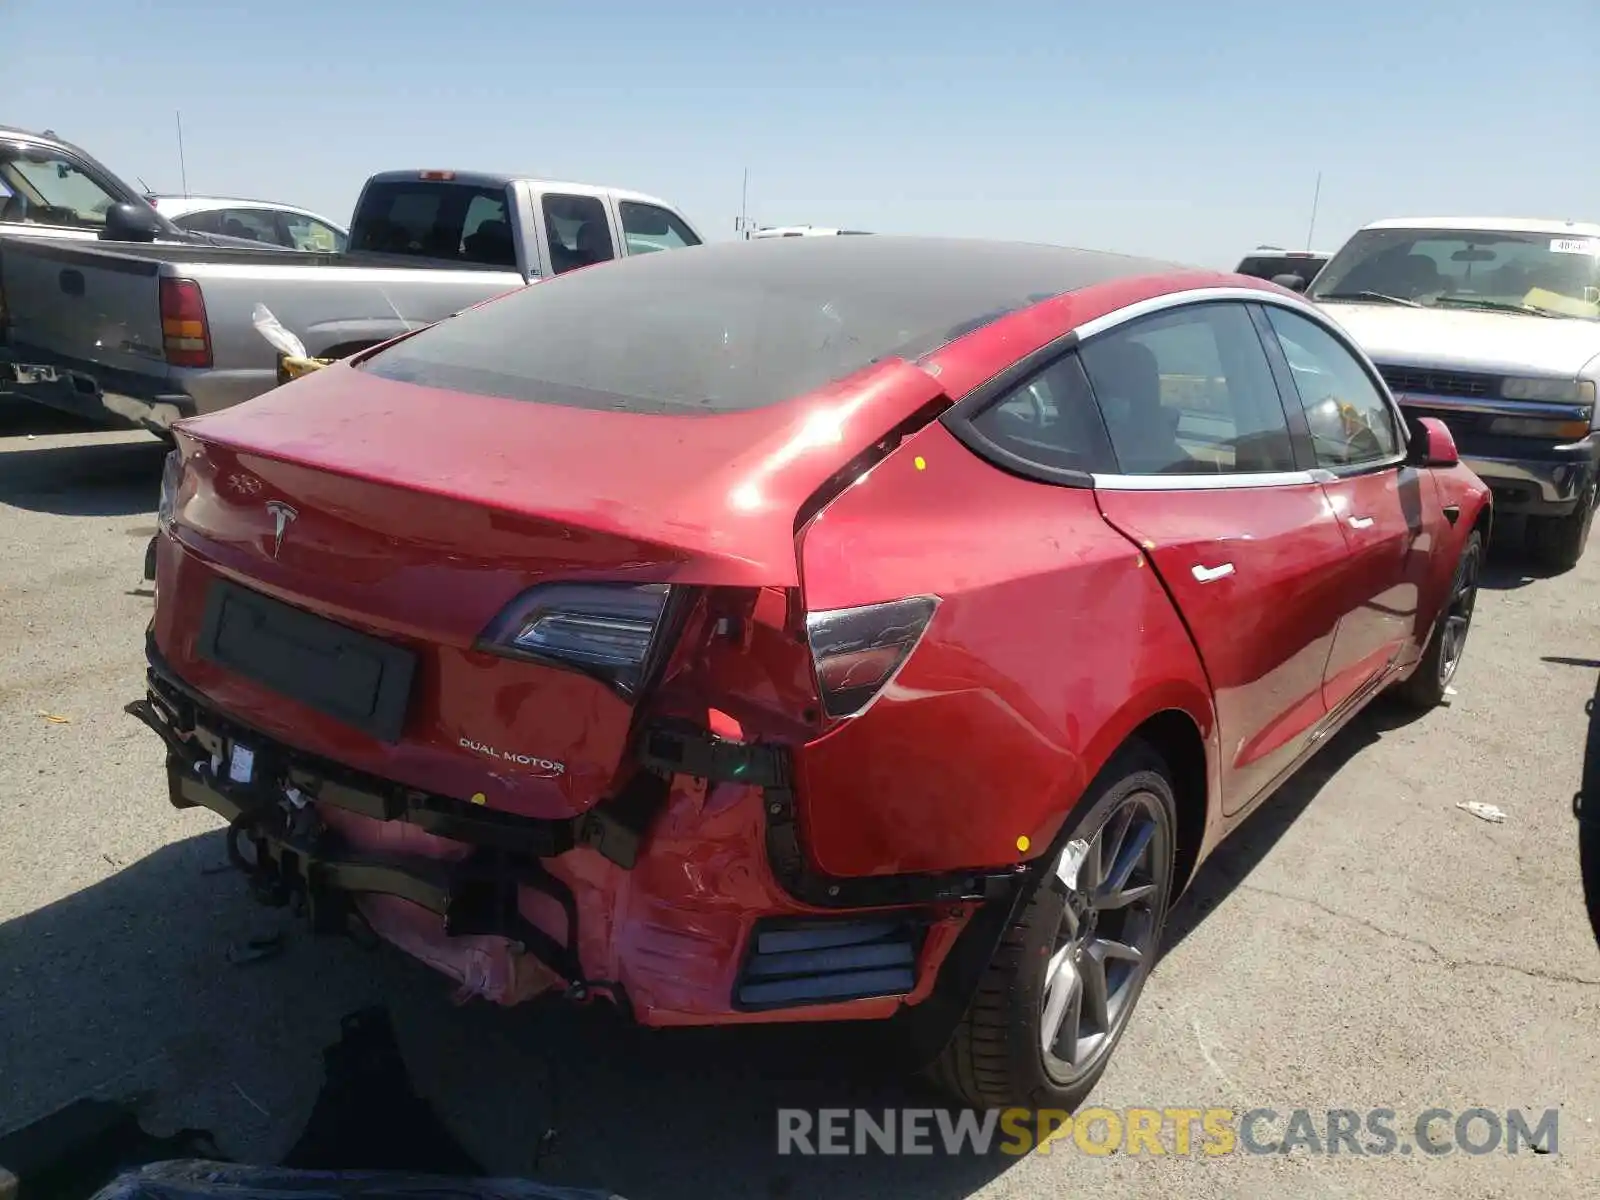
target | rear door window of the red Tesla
[{"x": 1190, "y": 393}]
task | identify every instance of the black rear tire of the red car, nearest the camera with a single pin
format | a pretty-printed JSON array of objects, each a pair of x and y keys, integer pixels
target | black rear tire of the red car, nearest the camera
[{"x": 996, "y": 1057}]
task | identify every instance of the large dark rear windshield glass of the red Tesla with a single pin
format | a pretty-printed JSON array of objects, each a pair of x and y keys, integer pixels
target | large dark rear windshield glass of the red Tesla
[{"x": 735, "y": 326}]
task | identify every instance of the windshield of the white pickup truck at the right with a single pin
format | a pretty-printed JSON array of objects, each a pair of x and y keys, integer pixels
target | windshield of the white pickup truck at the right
[{"x": 1538, "y": 274}]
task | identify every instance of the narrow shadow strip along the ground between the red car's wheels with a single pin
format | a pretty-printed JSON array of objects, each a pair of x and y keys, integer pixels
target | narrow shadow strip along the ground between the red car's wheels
[{"x": 1244, "y": 850}]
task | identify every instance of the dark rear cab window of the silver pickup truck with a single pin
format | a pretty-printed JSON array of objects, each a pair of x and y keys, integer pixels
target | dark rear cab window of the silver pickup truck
[{"x": 438, "y": 222}]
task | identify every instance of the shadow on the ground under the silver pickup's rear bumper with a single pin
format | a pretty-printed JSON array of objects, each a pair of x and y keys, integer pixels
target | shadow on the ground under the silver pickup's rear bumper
[{"x": 90, "y": 479}]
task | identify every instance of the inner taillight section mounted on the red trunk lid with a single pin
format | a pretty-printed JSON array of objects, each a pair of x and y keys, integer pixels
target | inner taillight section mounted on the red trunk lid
[{"x": 609, "y": 631}]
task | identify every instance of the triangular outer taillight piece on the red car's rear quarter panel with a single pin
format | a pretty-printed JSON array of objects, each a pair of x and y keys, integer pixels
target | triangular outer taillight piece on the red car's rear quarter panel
[{"x": 858, "y": 650}]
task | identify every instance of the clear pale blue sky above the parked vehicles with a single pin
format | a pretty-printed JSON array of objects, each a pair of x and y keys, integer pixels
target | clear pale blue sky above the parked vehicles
[{"x": 1182, "y": 129}]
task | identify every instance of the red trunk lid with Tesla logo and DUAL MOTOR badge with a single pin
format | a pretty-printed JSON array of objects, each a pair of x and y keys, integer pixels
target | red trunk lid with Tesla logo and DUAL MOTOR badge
[{"x": 418, "y": 516}]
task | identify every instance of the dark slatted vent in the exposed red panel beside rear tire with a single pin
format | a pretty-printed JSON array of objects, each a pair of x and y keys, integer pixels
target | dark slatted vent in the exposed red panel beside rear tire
[{"x": 825, "y": 962}]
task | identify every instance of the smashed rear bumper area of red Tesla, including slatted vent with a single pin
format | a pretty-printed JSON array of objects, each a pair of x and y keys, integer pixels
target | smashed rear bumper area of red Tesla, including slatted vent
[{"x": 663, "y": 900}]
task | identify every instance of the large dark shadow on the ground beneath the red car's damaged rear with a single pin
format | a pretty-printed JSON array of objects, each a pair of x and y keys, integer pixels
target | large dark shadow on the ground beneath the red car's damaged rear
[{"x": 127, "y": 988}]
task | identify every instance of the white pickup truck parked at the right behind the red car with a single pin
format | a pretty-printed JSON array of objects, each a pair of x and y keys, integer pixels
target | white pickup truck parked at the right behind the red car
[{"x": 1494, "y": 327}]
